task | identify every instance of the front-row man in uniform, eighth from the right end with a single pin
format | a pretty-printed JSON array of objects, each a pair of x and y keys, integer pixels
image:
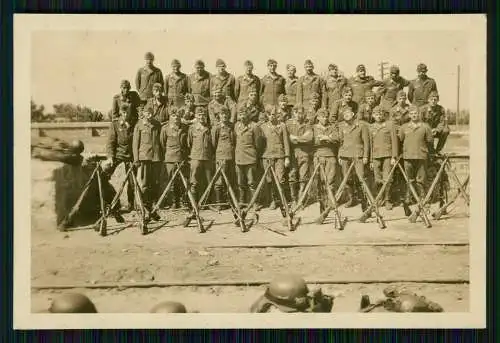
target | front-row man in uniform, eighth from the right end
[{"x": 223, "y": 142}]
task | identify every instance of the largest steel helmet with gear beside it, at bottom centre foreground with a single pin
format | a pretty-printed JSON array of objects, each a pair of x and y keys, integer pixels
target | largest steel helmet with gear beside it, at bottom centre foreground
[{"x": 290, "y": 294}]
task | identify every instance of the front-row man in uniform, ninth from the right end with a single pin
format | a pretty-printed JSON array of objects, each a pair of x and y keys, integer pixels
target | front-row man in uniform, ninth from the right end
[{"x": 201, "y": 151}]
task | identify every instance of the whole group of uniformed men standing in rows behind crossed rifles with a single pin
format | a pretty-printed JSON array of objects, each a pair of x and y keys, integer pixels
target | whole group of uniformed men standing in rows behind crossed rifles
[{"x": 202, "y": 121}]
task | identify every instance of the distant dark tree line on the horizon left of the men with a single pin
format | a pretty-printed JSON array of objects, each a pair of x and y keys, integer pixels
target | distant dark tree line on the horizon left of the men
[{"x": 65, "y": 112}]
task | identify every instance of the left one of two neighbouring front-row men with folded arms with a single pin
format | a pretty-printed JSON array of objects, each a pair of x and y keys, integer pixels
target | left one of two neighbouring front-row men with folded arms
[{"x": 301, "y": 139}]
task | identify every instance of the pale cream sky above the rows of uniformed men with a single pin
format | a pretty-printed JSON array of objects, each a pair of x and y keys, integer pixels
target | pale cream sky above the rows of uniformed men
[{"x": 85, "y": 66}]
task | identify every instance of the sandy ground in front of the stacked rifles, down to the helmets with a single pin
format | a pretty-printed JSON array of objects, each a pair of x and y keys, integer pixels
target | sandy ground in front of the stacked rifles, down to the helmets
[{"x": 172, "y": 253}]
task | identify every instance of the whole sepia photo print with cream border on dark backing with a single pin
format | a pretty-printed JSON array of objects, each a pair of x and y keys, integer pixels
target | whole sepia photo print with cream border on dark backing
[{"x": 320, "y": 169}]
